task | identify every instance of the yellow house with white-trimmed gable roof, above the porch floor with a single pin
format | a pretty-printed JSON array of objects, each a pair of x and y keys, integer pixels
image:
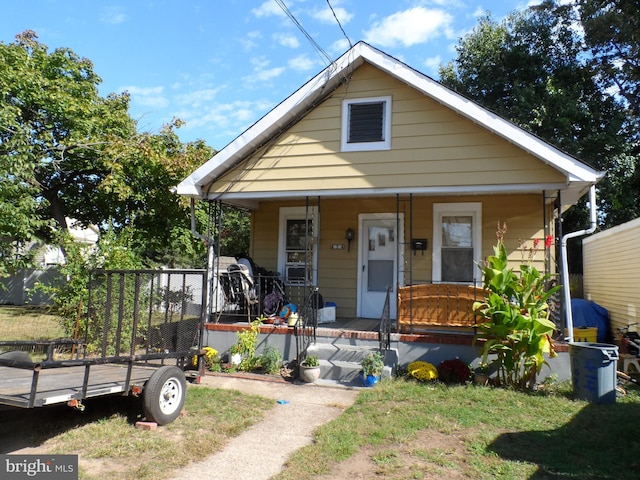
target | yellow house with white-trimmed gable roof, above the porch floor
[{"x": 374, "y": 175}]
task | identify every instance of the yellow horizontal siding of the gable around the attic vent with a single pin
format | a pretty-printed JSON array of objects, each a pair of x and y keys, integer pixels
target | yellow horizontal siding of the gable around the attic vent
[{"x": 430, "y": 146}]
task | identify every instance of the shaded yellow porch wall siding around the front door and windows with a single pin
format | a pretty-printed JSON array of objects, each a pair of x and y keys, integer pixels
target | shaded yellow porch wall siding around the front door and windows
[{"x": 338, "y": 269}]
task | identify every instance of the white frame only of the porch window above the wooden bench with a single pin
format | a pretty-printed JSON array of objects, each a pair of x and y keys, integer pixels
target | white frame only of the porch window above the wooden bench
[{"x": 473, "y": 209}]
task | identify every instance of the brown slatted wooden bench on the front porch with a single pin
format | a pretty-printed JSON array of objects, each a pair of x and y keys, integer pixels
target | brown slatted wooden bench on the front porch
[{"x": 436, "y": 305}]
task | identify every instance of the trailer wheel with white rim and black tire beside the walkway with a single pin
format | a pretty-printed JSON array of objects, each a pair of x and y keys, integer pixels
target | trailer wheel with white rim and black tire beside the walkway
[{"x": 163, "y": 395}]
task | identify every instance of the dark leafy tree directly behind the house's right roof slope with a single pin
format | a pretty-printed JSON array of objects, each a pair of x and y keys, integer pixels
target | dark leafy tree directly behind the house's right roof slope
[{"x": 532, "y": 69}]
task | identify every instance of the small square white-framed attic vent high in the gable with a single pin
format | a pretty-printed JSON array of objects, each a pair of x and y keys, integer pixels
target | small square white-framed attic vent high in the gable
[{"x": 366, "y": 124}]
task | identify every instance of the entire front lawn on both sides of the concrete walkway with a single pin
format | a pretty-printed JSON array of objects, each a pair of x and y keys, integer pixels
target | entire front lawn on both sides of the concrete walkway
[{"x": 397, "y": 430}]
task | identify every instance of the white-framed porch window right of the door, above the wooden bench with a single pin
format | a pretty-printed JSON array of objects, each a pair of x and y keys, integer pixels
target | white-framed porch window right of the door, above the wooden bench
[{"x": 456, "y": 242}]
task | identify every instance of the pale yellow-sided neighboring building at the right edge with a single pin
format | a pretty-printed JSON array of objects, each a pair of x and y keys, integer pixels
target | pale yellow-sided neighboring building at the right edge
[{"x": 611, "y": 273}]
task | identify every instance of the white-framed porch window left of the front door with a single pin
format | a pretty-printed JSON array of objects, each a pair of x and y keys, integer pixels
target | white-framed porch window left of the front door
[{"x": 297, "y": 252}]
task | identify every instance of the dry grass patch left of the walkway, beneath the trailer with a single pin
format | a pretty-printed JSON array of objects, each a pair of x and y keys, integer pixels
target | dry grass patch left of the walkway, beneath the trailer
[{"x": 110, "y": 447}]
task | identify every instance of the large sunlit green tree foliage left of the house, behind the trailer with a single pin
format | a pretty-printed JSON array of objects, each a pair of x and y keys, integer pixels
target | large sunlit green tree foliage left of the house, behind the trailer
[{"x": 67, "y": 152}]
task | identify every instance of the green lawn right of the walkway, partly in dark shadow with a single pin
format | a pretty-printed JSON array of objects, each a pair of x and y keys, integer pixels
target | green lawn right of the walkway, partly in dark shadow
[{"x": 411, "y": 430}]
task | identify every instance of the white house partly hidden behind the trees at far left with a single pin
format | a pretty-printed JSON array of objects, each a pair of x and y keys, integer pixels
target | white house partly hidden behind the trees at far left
[{"x": 19, "y": 289}]
